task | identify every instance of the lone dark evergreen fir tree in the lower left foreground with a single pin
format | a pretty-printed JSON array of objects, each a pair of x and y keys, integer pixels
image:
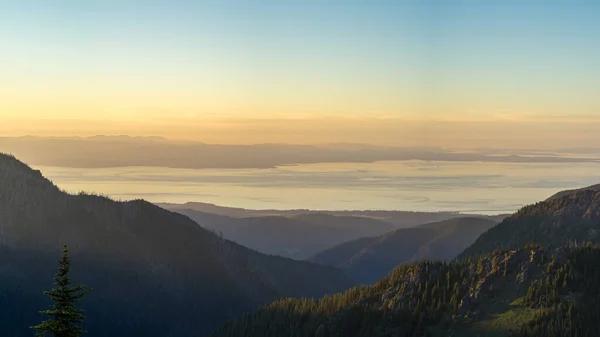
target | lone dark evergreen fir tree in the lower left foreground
[{"x": 65, "y": 317}]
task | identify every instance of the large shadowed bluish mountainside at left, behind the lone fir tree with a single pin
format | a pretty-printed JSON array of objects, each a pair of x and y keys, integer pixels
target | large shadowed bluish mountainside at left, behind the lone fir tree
[{"x": 155, "y": 272}]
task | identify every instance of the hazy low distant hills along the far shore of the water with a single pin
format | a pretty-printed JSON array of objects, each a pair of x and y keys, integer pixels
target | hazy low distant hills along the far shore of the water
[{"x": 122, "y": 151}]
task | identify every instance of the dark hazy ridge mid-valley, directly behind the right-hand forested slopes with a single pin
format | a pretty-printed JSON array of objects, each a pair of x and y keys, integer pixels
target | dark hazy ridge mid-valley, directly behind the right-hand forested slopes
[{"x": 370, "y": 259}]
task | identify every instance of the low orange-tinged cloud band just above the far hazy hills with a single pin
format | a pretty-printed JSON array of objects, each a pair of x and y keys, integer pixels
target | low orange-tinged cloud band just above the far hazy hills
[{"x": 469, "y": 131}]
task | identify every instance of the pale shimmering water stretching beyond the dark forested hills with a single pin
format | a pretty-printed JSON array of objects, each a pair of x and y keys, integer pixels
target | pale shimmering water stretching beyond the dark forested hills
[{"x": 481, "y": 187}]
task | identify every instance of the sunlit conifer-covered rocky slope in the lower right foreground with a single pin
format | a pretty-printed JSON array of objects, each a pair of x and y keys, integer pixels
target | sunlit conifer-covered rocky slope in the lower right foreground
[{"x": 528, "y": 292}]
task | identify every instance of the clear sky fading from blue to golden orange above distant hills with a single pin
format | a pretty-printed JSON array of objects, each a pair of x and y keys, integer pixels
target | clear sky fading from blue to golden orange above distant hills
[{"x": 498, "y": 73}]
